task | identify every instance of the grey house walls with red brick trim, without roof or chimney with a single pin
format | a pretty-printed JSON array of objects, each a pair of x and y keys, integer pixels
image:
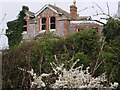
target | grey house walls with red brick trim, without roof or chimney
[{"x": 63, "y": 27}]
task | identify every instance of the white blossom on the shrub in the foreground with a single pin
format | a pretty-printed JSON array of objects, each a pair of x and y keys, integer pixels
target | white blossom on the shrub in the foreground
[{"x": 72, "y": 78}]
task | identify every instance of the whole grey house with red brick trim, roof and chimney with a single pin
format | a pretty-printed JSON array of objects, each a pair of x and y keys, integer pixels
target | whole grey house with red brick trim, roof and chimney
[{"x": 65, "y": 23}]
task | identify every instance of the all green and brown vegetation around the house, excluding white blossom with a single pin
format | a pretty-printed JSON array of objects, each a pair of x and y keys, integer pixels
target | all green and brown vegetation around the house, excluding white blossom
[{"x": 100, "y": 56}]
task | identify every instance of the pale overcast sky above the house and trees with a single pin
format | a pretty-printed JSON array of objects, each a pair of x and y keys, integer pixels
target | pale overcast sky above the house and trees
[{"x": 12, "y": 7}]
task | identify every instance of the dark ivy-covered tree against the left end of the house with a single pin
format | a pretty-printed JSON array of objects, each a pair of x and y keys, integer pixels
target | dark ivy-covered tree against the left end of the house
[{"x": 15, "y": 28}]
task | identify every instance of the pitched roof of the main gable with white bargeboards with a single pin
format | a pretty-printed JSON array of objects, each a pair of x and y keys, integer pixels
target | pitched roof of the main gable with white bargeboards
[{"x": 55, "y": 9}]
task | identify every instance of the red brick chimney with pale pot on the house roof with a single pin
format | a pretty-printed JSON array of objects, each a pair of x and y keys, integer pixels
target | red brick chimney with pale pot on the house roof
[{"x": 73, "y": 10}]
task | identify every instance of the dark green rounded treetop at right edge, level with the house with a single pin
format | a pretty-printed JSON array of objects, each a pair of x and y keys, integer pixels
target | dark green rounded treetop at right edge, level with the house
[{"x": 112, "y": 29}]
